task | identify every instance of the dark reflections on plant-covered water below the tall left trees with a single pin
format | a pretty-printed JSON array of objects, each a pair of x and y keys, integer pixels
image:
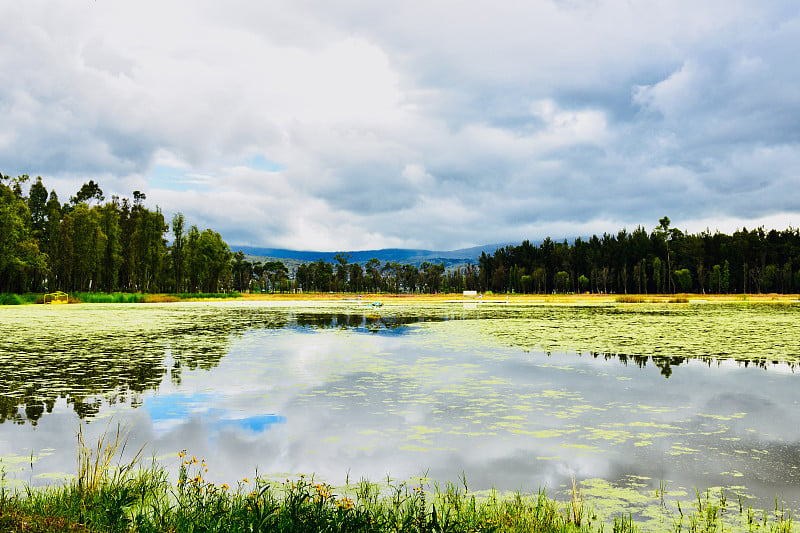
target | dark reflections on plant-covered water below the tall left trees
[{"x": 86, "y": 366}]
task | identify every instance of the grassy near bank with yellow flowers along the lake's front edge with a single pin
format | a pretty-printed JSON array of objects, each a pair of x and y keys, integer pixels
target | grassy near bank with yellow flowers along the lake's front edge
[{"x": 140, "y": 497}]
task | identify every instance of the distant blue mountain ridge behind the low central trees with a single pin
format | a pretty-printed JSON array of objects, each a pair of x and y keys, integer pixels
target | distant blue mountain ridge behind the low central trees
[{"x": 398, "y": 255}]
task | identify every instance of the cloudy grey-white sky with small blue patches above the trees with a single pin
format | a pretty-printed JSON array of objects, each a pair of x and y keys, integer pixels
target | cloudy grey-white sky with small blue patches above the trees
[{"x": 436, "y": 124}]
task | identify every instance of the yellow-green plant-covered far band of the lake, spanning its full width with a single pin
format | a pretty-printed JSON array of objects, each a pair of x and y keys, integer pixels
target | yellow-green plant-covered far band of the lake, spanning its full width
[{"x": 118, "y": 353}]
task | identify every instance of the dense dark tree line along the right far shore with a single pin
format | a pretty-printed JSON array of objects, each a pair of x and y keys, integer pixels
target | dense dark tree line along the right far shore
[{"x": 666, "y": 260}]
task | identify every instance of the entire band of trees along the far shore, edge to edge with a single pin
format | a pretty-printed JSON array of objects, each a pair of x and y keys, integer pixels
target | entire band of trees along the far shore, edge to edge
[{"x": 88, "y": 244}]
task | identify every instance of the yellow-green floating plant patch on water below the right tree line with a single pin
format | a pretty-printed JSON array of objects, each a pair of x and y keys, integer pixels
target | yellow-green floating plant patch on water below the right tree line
[{"x": 666, "y": 337}]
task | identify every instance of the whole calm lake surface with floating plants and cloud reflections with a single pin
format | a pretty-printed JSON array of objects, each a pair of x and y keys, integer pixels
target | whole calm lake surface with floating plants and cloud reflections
[{"x": 515, "y": 397}]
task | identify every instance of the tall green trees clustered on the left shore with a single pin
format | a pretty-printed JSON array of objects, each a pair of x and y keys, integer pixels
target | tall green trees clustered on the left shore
[{"x": 90, "y": 244}]
